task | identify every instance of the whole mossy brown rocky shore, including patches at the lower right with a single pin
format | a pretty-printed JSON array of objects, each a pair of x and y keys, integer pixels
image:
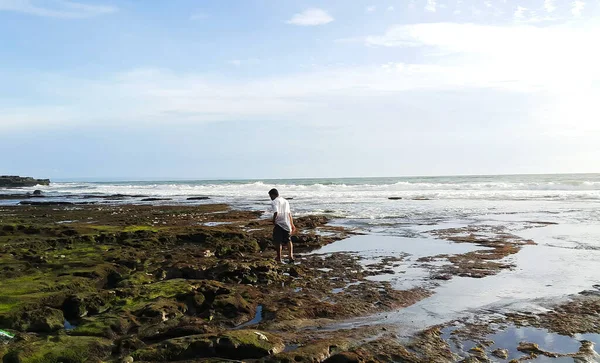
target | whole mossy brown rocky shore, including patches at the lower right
[{"x": 142, "y": 283}]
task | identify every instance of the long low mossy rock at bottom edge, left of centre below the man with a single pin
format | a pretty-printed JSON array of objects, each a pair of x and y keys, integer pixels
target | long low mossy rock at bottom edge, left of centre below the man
[{"x": 238, "y": 344}]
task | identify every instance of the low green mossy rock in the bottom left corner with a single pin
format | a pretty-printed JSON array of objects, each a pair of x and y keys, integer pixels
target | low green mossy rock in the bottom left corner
[{"x": 60, "y": 349}]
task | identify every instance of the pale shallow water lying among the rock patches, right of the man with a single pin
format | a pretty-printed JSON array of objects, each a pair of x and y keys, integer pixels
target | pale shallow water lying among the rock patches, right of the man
[{"x": 544, "y": 273}]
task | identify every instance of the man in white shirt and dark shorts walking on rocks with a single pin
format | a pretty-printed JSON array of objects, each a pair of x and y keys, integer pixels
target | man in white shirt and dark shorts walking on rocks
[{"x": 283, "y": 224}]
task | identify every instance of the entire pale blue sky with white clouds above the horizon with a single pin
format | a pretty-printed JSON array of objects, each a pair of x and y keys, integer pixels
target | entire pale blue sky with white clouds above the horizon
[{"x": 281, "y": 89}]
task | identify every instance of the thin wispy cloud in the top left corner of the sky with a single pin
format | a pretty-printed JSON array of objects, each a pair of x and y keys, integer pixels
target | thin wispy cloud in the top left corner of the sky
[{"x": 57, "y": 8}]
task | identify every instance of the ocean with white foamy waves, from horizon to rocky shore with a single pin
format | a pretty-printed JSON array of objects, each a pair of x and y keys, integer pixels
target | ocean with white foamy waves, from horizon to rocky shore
[{"x": 365, "y": 202}]
